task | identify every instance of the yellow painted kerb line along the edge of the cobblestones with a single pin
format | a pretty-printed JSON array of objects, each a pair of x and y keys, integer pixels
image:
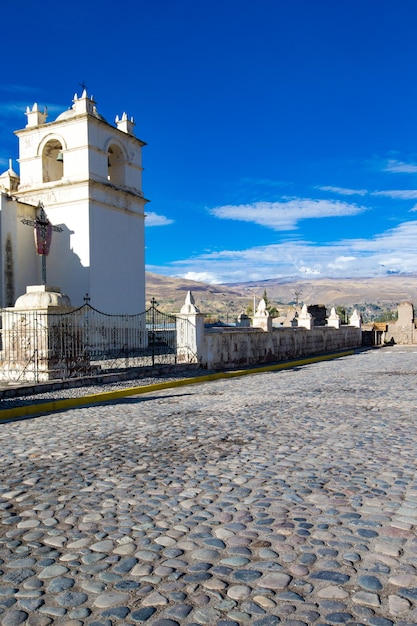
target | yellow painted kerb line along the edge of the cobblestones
[{"x": 53, "y": 406}]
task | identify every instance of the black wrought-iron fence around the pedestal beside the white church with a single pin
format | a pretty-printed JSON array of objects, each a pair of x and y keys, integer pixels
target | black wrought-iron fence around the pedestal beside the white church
[{"x": 38, "y": 345}]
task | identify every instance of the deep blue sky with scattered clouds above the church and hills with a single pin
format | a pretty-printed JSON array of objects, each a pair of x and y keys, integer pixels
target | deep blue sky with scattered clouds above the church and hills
[{"x": 282, "y": 134}]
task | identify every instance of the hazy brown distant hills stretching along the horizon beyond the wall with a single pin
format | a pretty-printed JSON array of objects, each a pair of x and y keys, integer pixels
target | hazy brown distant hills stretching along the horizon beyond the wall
[{"x": 231, "y": 299}]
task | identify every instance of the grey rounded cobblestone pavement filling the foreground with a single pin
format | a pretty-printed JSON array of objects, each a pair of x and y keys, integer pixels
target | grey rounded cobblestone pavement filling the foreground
[{"x": 287, "y": 497}]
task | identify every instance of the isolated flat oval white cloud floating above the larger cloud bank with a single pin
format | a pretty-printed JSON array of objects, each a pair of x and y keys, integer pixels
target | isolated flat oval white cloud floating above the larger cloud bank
[{"x": 285, "y": 215}]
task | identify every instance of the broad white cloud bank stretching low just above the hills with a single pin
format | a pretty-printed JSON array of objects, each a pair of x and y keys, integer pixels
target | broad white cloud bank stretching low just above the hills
[{"x": 387, "y": 252}]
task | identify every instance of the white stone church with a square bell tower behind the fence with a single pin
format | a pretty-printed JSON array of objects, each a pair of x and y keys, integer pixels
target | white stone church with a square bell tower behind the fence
[{"x": 87, "y": 174}]
